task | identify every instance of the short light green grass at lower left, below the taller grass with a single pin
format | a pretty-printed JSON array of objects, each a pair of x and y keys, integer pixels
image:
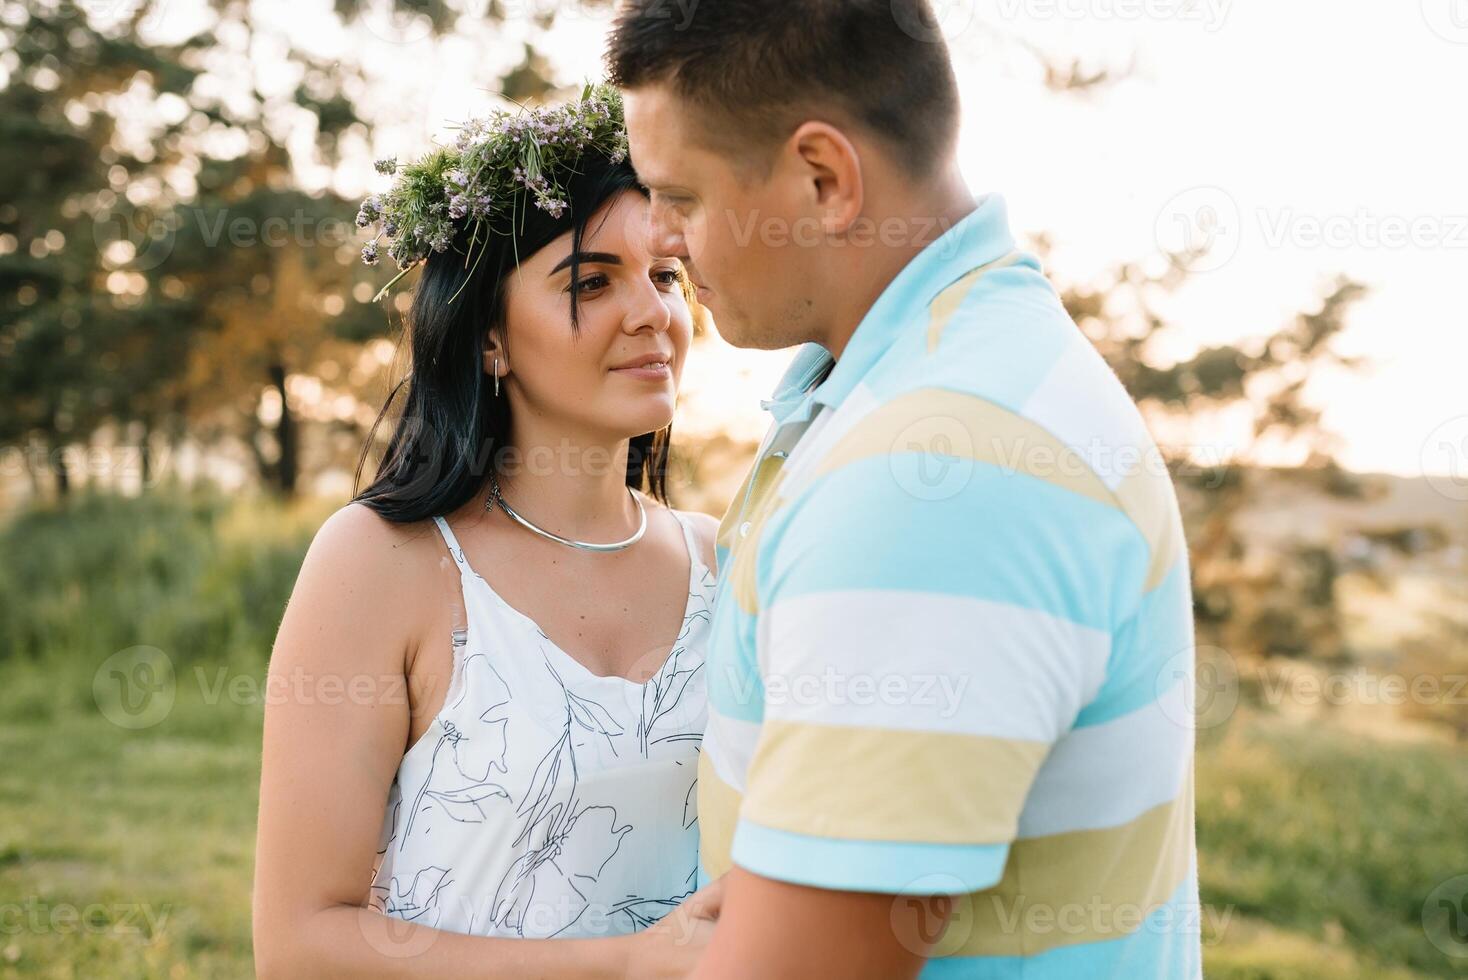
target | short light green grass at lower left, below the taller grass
[{"x": 145, "y": 838}]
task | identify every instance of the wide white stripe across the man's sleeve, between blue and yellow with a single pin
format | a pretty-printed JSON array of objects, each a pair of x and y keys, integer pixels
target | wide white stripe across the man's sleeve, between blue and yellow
[{"x": 929, "y": 662}]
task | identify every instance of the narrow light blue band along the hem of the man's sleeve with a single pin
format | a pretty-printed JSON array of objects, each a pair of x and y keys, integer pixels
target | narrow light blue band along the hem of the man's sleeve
[{"x": 868, "y": 866}]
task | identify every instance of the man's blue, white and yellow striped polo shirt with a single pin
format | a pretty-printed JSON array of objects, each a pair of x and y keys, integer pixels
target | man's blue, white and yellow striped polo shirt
[{"x": 952, "y": 651}]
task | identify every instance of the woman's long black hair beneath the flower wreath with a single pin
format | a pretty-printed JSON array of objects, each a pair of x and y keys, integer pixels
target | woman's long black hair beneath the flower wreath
[{"x": 453, "y": 429}]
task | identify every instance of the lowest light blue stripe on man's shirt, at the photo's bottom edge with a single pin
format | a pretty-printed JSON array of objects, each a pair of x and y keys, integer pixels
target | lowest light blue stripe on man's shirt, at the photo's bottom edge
[{"x": 1166, "y": 946}]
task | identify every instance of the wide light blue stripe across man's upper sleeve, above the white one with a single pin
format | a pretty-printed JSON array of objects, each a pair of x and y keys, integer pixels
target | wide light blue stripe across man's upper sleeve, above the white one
[{"x": 999, "y": 536}]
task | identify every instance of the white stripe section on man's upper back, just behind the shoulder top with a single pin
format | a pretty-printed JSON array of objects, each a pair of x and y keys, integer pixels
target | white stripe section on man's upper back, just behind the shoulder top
[{"x": 1084, "y": 406}]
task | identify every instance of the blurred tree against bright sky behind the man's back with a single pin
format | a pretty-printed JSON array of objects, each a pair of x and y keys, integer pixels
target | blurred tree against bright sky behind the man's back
[{"x": 1244, "y": 601}]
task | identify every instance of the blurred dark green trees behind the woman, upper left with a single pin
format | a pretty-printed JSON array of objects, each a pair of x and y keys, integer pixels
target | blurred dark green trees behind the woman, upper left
[{"x": 162, "y": 269}]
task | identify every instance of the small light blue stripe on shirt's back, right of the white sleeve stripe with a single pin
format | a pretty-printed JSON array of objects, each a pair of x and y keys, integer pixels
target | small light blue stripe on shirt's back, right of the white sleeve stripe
[{"x": 1143, "y": 651}]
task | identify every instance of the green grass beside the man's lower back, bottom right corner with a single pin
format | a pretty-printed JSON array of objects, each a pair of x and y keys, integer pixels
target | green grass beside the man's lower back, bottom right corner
[{"x": 1326, "y": 847}]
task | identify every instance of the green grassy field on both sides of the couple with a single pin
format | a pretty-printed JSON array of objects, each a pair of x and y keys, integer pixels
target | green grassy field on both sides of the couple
[{"x": 127, "y": 853}]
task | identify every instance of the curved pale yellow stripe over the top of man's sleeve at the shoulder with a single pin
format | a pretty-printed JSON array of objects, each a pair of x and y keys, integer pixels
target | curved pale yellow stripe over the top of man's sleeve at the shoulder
[{"x": 967, "y": 426}]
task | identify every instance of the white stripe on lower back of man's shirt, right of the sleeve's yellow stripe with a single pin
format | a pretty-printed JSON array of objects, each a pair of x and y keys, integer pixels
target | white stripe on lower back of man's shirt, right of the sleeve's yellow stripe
[{"x": 1106, "y": 775}]
